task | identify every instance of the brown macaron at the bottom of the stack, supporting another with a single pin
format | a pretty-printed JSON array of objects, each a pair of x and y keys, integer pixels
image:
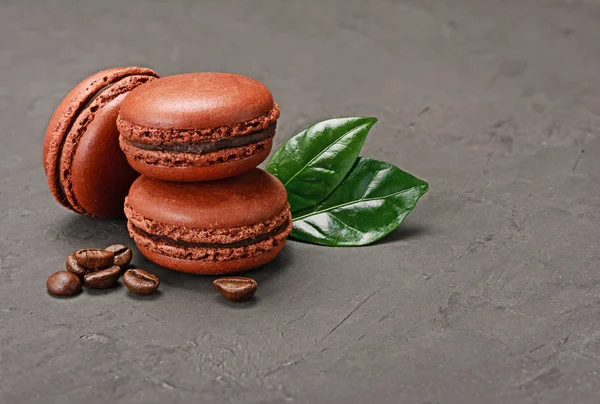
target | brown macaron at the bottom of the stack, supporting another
[{"x": 214, "y": 227}]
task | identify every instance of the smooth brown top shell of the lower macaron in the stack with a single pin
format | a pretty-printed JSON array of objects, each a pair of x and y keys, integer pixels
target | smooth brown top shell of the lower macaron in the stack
[{"x": 243, "y": 200}]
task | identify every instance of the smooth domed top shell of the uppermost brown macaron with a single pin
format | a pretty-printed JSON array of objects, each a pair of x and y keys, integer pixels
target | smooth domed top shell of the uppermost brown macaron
[{"x": 197, "y": 101}]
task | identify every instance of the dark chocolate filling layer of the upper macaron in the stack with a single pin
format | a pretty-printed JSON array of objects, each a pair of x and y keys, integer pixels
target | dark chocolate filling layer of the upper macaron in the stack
[{"x": 209, "y": 146}]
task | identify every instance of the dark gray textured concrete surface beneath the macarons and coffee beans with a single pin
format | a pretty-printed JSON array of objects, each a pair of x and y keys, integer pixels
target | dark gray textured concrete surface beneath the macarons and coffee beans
[{"x": 488, "y": 293}]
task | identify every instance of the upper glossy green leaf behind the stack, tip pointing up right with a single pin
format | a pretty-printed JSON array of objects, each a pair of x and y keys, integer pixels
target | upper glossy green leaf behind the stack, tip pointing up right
[{"x": 314, "y": 162}]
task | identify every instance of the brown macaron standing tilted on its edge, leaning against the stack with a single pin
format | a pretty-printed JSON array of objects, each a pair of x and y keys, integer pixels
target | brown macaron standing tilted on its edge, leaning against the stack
[{"x": 86, "y": 170}]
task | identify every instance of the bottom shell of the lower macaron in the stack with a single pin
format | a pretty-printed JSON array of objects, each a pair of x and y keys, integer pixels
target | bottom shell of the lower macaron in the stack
[{"x": 199, "y": 267}]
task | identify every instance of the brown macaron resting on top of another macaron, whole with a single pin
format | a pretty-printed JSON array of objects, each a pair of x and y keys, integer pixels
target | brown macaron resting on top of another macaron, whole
[{"x": 198, "y": 126}]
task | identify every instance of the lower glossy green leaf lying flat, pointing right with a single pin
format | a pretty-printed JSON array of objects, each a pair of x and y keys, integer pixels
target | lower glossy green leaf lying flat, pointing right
[{"x": 371, "y": 201}]
